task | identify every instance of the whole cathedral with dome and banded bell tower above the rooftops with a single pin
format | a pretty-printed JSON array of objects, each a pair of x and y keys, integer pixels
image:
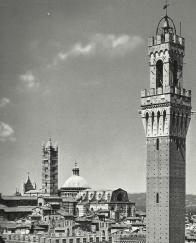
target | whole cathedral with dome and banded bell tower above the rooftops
[{"x": 76, "y": 198}]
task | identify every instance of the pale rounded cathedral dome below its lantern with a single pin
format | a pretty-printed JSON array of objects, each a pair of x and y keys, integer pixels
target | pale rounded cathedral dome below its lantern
[{"x": 76, "y": 181}]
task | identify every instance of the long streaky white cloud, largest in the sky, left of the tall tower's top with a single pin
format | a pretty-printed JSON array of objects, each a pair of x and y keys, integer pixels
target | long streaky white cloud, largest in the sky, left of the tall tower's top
[{"x": 106, "y": 44}]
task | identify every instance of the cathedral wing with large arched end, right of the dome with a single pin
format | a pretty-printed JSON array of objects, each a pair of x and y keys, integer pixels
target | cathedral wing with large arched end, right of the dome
[{"x": 110, "y": 203}]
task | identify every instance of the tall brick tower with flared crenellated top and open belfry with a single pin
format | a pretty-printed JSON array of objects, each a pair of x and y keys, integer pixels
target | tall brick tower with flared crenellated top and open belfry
[{"x": 166, "y": 114}]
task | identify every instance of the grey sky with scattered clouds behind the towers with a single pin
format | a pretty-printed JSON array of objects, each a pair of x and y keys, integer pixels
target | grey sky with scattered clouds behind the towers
[{"x": 73, "y": 71}]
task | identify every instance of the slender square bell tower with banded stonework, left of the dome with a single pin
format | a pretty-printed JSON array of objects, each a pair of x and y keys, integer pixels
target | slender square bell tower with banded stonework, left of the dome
[{"x": 50, "y": 168}]
